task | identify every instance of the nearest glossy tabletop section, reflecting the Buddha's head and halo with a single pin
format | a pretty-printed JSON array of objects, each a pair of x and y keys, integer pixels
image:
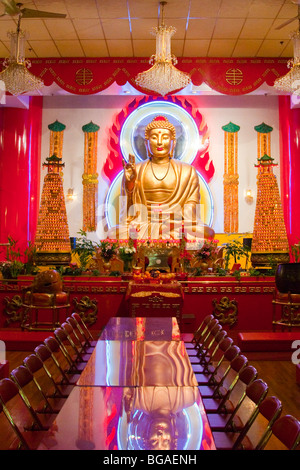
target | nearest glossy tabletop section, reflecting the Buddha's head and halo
[{"x": 139, "y": 418}]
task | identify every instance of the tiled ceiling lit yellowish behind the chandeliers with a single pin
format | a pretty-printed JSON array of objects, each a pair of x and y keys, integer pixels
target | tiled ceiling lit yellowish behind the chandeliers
[{"x": 122, "y": 28}]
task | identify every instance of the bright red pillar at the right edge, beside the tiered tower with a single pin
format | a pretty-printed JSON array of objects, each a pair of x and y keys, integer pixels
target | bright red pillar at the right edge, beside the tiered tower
[{"x": 289, "y": 133}]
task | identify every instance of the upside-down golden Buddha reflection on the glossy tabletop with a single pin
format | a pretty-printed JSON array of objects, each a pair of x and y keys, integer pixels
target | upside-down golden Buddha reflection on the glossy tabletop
[{"x": 163, "y": 364}]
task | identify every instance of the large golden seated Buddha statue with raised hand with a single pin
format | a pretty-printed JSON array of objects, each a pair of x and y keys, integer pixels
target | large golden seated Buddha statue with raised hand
[{"x": 162, "y": 194}]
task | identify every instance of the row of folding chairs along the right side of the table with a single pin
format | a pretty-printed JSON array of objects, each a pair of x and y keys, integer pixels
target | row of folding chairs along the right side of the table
[{"x": 234, "y": 398}]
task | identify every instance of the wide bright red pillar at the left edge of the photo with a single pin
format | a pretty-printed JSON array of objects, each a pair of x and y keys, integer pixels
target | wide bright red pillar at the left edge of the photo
[{"x": 20, "y": 163}]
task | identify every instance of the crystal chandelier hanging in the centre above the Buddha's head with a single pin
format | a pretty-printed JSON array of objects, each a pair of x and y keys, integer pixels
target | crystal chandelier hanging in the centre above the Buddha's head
[{"x": 163, "y": 77}]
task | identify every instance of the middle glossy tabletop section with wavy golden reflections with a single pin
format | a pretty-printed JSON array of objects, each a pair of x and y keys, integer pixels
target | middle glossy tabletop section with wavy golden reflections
[{"x": 138, "y": 363}]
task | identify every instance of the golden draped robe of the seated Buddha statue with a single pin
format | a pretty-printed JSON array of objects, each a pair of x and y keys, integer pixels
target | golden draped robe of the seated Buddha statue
[{"x": 162, "y": 208}]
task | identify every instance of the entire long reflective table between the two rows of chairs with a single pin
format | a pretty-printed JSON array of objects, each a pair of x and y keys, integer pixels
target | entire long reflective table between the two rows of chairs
[{"x": 135, "y": 393}]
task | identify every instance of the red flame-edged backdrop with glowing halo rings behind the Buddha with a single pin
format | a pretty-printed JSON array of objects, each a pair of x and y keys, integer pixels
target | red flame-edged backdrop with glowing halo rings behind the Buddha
[{"x": 127, "y": 137}]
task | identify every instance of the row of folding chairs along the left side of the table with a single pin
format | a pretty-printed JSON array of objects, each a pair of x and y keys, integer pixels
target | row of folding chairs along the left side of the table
[{"x": 36, "y": 390}]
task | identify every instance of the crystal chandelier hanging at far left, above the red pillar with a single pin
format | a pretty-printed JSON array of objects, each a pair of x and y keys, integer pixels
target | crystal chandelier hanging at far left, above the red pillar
[{"x": 16, "y": 77}]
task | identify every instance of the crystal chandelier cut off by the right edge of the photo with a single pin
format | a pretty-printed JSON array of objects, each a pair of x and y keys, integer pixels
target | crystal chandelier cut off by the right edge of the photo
[{"x": 290, "y": 82}]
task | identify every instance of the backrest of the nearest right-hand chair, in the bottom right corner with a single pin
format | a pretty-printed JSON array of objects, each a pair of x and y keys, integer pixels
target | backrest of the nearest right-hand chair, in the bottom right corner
[{"x": 287, "y": 430}]
